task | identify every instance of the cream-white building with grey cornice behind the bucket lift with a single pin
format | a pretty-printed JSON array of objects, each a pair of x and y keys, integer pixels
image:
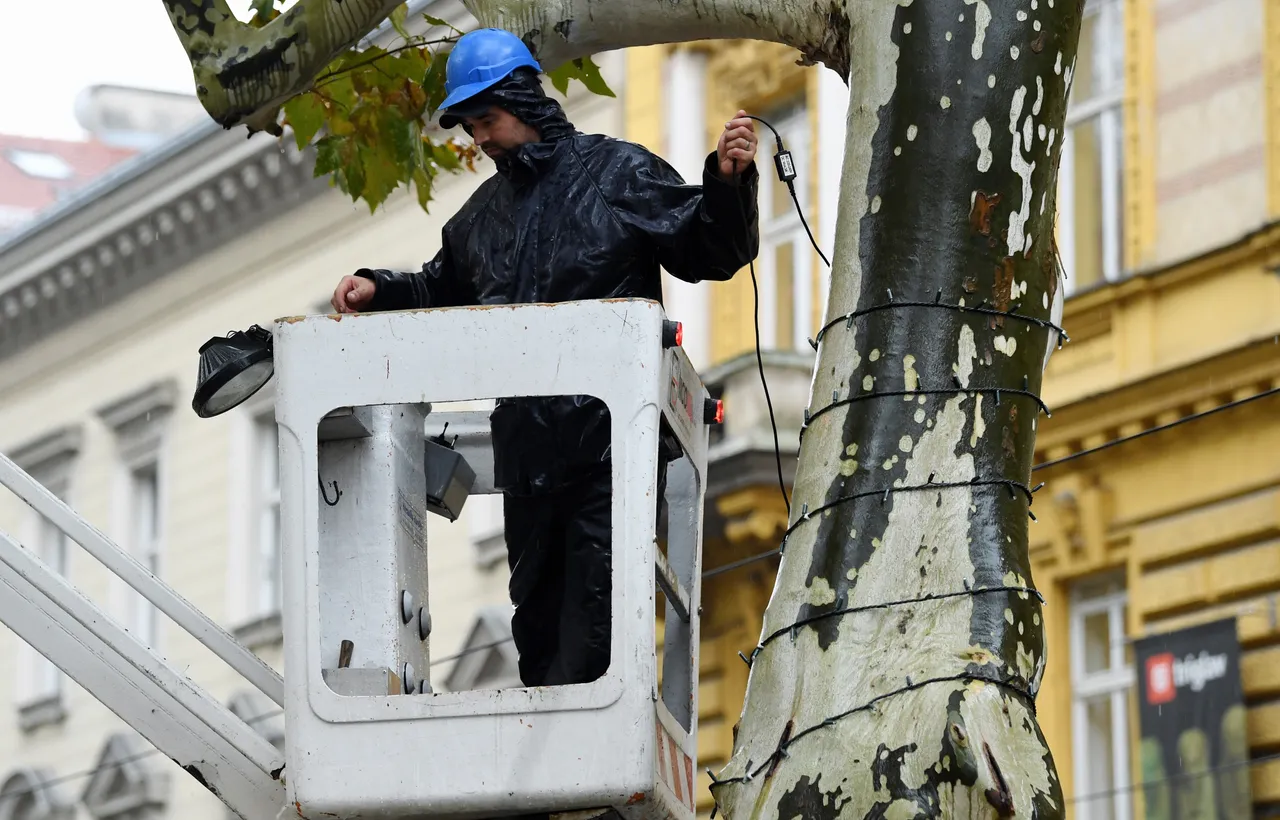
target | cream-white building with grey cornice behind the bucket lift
[{"x": 104, "y": 304}]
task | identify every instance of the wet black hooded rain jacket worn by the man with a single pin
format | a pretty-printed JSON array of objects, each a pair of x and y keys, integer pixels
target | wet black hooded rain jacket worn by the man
[{"x": 574, "y": 217}]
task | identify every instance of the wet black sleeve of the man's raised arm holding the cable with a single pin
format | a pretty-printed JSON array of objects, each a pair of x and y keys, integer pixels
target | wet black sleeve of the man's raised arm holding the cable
[{"x": 702, "y": 233}]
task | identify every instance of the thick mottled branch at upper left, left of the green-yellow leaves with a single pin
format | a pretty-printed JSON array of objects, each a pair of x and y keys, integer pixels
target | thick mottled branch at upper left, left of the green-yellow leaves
[{"x": 245, "y": 75}]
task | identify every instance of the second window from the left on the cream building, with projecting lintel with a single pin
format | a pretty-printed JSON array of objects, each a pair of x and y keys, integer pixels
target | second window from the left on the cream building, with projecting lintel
[{"x": 139, "y": 423}]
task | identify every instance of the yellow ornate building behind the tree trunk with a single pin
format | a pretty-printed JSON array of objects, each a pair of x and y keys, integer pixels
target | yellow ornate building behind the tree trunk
[{"x": 1169, "y": 227}]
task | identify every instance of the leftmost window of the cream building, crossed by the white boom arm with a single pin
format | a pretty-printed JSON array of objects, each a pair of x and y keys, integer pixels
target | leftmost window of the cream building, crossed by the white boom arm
[{"x": 49, "y": 461}]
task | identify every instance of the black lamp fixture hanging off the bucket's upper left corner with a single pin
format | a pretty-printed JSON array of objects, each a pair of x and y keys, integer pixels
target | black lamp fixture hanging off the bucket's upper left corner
[{"x": 232, "y": 369}]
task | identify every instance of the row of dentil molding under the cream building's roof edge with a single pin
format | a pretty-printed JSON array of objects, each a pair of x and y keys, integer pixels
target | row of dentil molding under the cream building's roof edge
[{"x": 194, "y": 218}]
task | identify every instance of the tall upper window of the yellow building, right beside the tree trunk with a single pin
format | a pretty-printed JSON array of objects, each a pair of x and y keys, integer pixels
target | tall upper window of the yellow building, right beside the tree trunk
[{"x": 1091, "y": 171}]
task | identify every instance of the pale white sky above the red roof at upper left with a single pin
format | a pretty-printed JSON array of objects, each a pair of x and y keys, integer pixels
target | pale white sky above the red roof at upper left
[{"x": 49, "y": 52}]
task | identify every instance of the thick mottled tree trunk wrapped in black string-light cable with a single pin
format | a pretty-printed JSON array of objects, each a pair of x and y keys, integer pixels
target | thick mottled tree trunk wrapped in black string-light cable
[{"x": 915, "y": 484}]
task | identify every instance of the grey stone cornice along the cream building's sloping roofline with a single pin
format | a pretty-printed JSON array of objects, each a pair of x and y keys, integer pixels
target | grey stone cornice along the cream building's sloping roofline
[{"x": 153, "y": 216}]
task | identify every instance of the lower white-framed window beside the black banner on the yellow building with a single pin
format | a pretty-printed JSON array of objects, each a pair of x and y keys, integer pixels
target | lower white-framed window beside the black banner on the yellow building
[{"x": 1101, "y": 679}]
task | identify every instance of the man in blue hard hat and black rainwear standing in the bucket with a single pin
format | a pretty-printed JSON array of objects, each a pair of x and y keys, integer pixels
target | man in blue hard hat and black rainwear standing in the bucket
[{"x": 568, "y": 217}]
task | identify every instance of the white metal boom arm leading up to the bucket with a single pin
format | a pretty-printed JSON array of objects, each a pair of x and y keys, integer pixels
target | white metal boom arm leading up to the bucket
[{"x": 181, "y": 720}]
